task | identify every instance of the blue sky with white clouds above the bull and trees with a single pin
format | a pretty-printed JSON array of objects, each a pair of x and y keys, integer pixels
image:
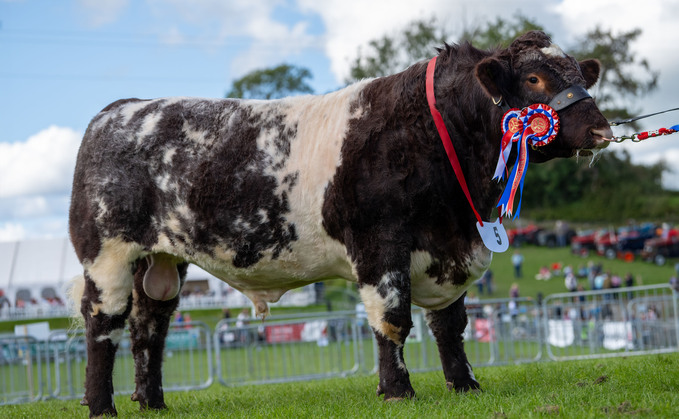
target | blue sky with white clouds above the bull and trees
[{"x": 63, "y": 61}]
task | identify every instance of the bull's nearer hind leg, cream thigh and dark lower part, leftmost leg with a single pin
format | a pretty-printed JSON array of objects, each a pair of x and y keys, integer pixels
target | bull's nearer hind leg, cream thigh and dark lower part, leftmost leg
[{"x": 105, "y": 304}]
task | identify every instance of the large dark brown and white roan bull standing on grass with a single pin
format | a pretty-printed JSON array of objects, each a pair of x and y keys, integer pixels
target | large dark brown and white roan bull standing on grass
[{"x": 273, "y": 195}]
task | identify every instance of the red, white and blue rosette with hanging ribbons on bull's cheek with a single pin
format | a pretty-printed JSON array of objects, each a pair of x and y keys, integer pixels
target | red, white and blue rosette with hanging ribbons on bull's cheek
[{"x": 536, "y": 125}]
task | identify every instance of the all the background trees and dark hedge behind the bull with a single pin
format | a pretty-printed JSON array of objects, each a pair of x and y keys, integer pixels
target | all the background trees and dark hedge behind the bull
[{"x": 606, "y": 188}]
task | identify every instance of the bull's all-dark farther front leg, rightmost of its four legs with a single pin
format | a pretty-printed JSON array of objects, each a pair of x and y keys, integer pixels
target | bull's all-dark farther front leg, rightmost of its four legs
[{"x": 448, "y": 325}]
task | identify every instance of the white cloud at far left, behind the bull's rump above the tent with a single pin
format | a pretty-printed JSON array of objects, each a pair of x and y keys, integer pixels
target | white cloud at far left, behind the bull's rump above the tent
[{"x": 43, "y": 164}]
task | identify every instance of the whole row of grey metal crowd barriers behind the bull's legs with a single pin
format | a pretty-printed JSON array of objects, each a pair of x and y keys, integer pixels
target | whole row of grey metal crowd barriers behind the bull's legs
[{"x": 594, "y": 324}]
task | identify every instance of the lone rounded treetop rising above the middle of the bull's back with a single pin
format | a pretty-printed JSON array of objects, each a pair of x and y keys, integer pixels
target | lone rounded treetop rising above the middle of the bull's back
[{"x": 272, "y": 83}]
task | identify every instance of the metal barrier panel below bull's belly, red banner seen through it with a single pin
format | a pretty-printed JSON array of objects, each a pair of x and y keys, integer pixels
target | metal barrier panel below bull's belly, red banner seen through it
[{"x": 282, "y": 350}]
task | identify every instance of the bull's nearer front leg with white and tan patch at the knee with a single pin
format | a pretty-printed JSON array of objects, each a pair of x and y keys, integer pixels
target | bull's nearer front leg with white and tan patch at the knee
[{"x": 387, "y": 303}]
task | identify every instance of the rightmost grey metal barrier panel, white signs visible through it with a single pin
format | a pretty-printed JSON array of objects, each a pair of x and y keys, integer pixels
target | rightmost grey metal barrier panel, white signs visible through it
[{"x": 612, "y": 322}]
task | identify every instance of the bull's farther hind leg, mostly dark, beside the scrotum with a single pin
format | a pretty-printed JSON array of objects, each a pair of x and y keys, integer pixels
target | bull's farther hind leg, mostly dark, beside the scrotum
[{"x": 149, "y": 323}]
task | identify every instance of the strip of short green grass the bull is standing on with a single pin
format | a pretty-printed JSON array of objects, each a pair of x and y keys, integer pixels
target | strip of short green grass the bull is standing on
[{"x": 622, "y": 387}]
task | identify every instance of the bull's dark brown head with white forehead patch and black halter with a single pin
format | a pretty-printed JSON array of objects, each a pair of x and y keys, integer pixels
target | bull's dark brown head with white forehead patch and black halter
[{"x": 533, "y": 70}]
